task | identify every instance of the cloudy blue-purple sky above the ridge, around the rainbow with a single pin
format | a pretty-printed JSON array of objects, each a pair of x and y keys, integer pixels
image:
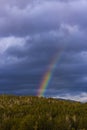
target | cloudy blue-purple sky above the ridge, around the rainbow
[{"x": 31, "y": 33}]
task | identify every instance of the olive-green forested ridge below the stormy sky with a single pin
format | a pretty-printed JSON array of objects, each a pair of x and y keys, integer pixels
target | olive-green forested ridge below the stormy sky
[{"x": 38, "y": 113}]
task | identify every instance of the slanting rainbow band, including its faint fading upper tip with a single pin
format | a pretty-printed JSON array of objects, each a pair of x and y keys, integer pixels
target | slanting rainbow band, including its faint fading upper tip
[{"x": 49, "y": 73}]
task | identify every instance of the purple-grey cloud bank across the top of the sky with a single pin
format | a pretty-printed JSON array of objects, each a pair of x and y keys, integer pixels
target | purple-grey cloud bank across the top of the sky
[{"x": 40, "y": 16}]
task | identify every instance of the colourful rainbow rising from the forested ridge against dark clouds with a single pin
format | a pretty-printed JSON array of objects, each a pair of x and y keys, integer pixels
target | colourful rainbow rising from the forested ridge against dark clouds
[{"x": 48, "y": 75}]
